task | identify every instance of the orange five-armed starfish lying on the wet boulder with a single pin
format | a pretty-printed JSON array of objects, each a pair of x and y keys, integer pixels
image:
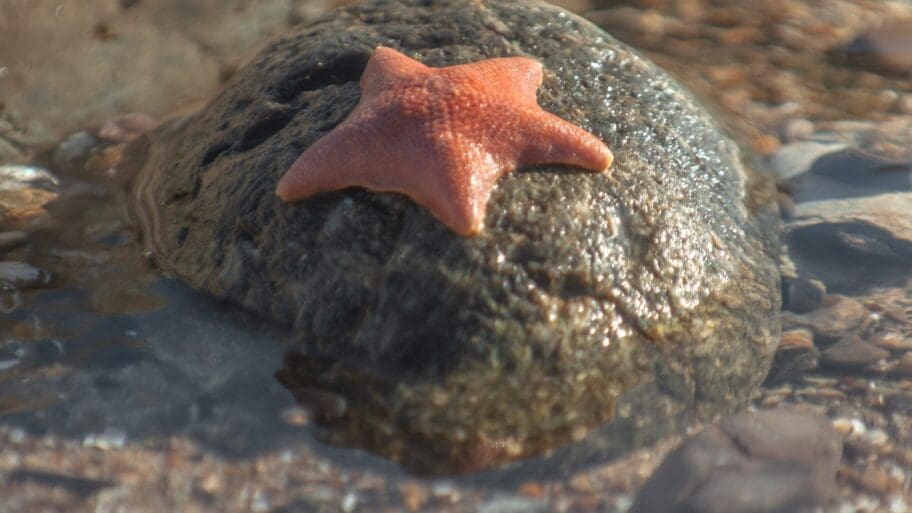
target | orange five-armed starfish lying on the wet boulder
[{"x": 442, "y": 136}]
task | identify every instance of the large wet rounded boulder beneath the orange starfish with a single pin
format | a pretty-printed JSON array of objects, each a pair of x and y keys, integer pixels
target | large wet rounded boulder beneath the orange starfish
[{"x": 647, "y": 295}]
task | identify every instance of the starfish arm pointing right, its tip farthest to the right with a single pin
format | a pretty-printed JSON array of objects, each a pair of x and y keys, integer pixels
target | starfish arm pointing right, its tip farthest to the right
[{"x": 548, "y": 139}]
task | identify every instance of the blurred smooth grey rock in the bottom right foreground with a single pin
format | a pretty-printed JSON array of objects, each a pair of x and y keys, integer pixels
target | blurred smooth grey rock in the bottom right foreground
[{"x": 765, "y": 462}]
